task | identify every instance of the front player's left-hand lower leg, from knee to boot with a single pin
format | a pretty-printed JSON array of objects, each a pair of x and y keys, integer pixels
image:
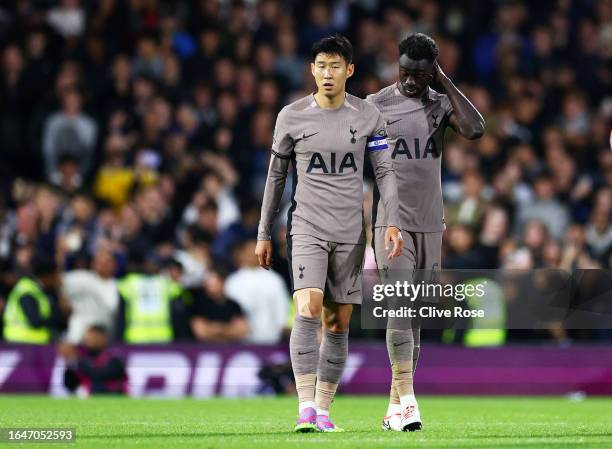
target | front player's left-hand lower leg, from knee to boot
[{"x": 304, "y": 349}]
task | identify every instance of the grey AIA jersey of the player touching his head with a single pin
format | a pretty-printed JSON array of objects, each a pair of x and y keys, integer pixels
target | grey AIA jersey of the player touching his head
[{"x": 415, "y": 128}]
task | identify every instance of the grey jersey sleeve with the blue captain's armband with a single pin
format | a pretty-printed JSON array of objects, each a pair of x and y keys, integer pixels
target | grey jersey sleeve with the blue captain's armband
[{"x": 380, "y": 156}]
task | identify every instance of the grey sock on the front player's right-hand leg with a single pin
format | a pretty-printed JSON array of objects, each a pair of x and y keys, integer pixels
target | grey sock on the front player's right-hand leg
[{"x": 332, "y": 359}]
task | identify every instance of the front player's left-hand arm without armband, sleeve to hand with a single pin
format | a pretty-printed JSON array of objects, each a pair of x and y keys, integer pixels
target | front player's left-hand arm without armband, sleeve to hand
[{"x": 275, "y": 185}]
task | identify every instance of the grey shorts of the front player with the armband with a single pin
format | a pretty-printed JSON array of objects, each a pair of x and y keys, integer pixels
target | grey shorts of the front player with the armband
[{"x": 335, "y": 268}]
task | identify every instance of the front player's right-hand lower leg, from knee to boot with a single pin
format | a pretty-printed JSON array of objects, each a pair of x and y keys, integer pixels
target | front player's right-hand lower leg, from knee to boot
[{"x": 332, "y": 360}]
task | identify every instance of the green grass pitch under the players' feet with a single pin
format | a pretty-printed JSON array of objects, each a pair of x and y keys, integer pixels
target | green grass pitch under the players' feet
[{"x": 449, "y": 422}]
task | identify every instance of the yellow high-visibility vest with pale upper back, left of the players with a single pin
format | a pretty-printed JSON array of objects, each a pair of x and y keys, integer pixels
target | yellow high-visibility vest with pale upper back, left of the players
[{"x": 147, "y": 308}]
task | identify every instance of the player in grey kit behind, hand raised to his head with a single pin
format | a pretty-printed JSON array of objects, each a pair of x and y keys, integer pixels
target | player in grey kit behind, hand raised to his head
[{"x": 416, "y": 118}]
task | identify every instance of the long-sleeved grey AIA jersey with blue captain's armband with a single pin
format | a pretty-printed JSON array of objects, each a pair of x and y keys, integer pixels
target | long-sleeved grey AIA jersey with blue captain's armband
[{"x": 327, "y": 148}]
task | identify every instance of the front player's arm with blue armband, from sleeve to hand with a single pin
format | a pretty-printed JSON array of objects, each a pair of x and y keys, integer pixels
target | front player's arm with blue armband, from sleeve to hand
[{"x": 380, "y": 156}]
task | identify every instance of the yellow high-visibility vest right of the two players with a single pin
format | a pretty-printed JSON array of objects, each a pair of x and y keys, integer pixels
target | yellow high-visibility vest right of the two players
[{"x": 489, "y": 331}]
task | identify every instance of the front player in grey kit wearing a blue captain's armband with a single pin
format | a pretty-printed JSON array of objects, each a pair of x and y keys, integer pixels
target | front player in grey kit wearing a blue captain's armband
[{"x": 326, "y": 136}]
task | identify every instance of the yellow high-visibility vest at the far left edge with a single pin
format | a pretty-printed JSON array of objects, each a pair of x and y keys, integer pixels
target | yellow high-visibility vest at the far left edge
[{"x": 17, "y": 327}]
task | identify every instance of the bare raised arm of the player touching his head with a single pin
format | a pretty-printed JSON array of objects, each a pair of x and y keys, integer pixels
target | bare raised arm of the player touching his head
[{"x": 465, "y": 119}]
